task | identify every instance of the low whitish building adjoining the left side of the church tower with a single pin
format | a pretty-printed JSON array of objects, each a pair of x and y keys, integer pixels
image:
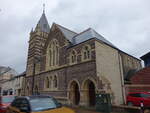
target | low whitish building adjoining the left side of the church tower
[{"x": 13, "y": 86}]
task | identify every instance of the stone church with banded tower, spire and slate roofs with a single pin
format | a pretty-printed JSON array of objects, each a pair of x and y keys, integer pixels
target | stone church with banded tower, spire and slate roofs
[{"x": 73, "y": 67}]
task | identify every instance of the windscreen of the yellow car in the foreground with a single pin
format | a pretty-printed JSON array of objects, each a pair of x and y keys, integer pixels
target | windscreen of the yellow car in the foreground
[{"x": 40, "y": 104}]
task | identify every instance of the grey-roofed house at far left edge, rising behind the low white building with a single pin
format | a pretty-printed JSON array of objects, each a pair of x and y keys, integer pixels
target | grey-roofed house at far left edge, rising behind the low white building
[{"x": 6, "y": 73}]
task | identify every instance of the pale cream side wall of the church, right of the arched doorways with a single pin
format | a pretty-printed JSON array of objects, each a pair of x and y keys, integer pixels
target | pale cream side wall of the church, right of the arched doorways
[{"x": 109, "y": 71}]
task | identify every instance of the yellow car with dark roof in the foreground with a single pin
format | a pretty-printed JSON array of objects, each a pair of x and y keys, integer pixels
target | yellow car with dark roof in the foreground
[{"x": 37, "y": 104}]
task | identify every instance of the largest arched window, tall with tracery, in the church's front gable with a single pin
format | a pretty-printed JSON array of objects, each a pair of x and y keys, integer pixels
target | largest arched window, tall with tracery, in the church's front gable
[{"x": 53, "y": 53}]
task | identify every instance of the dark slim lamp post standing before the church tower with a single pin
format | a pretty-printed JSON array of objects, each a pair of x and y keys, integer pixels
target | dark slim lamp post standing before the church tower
[{"x": 36, "y": 60}]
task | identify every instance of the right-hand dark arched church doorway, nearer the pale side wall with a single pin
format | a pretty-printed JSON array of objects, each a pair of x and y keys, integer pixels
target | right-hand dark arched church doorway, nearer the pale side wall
[{"x": 89, "y": 92}]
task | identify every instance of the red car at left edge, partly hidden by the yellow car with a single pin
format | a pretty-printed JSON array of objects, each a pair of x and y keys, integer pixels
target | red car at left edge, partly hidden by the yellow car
[{"x": 5, "y": 101}]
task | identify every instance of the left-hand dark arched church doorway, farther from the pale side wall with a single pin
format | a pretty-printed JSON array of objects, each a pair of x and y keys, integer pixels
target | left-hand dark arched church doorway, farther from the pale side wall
[{"x": 74, "y": 93}]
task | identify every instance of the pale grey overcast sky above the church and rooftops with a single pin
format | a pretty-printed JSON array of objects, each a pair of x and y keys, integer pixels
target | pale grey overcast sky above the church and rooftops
[{"x": 125, "y": 23}]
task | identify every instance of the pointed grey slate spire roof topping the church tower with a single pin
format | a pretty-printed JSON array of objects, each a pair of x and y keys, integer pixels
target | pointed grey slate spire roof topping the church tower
[{"x": 43, "y": 24}]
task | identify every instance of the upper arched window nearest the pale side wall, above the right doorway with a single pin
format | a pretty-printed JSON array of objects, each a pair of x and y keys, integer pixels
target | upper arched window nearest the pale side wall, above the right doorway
[{"x": 86, "y": 53}]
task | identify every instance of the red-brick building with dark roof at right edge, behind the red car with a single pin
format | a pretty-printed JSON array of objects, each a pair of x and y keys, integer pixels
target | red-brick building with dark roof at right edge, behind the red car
[{"x": 140, "y": 80}]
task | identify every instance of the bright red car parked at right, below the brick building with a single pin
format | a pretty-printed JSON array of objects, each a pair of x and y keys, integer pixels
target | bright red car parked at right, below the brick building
[{"x": 136, "y": 98}]
